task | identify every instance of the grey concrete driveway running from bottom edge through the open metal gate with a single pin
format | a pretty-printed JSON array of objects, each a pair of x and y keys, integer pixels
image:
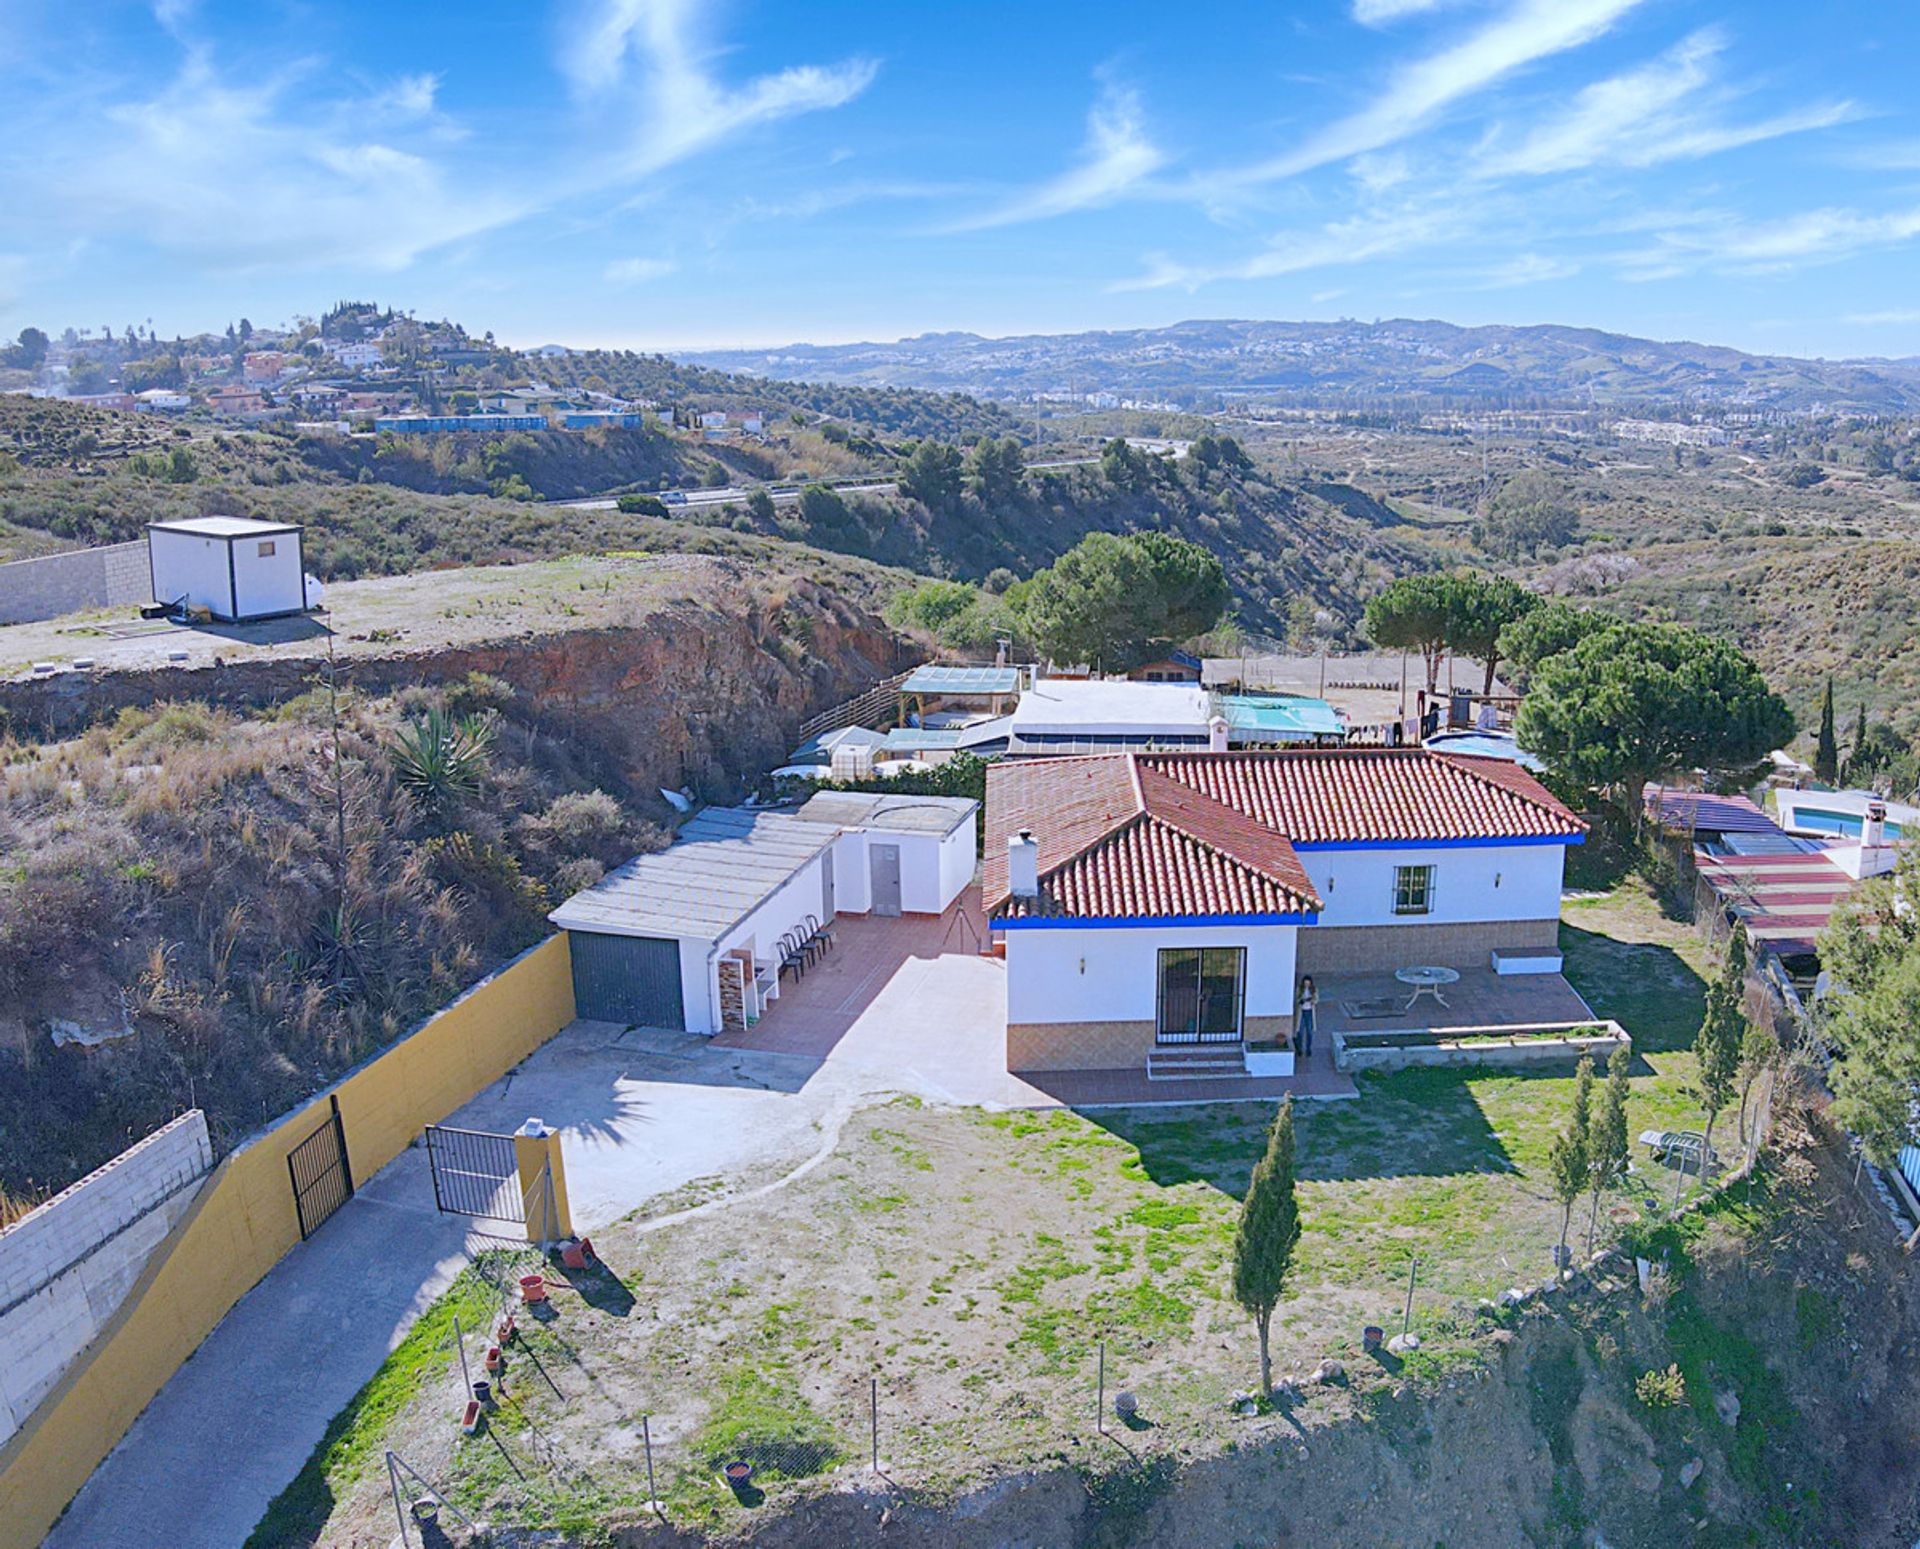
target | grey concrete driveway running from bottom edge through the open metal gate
[{"x": 640, "y": 1114}]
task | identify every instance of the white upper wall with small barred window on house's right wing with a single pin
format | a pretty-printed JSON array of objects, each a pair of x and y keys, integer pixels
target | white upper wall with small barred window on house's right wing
[{"x": 1472, "y": 884}]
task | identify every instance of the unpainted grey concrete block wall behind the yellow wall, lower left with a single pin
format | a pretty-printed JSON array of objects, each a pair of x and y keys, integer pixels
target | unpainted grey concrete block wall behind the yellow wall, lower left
[{"x": 70, "y": 1264}]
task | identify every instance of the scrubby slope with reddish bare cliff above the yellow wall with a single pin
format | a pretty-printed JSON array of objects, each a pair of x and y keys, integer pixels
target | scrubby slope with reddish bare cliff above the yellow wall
[{"x": 180, "y": 924}]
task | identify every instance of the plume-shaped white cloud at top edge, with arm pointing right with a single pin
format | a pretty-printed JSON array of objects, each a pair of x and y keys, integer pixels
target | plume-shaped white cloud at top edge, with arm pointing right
[{"x": 648, "y": 49}]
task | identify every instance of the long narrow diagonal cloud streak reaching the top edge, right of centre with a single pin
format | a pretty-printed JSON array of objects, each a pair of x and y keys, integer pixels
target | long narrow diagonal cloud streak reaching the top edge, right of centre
[{"x": 1418, "y": 93}]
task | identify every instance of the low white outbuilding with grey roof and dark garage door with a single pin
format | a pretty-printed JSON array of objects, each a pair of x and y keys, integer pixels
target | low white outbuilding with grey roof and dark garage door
[{"x": 698, "y": 936}]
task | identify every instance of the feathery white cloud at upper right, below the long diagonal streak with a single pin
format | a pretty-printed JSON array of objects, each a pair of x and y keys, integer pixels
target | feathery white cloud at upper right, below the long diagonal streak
[{"x": 1668, "y": 110}]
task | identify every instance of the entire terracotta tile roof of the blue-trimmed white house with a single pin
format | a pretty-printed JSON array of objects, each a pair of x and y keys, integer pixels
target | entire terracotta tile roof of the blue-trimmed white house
[{"x": 1212, "y": 834}]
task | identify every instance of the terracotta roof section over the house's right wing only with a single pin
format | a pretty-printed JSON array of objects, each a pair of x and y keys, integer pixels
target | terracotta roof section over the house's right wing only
[{"x": 1358, "y": 796}]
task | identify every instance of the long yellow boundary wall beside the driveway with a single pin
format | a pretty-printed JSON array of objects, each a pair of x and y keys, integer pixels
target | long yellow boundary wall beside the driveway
[{"x": 243, "y": 1224}]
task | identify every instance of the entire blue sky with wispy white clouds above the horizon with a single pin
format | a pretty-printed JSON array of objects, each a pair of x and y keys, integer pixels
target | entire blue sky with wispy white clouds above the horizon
[{"x": 661, "y": 174}]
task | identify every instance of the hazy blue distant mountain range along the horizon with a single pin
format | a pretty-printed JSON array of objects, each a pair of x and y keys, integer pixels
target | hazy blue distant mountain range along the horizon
[{"x": 1347, "y": 364}]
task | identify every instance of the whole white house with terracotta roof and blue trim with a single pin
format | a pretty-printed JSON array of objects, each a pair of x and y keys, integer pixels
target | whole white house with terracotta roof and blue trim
[{"x": 1153, "y": 901}]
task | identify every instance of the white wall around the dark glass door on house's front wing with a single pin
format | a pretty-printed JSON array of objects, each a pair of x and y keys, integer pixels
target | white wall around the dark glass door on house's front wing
[{"x": 1113, "y": 974}]
